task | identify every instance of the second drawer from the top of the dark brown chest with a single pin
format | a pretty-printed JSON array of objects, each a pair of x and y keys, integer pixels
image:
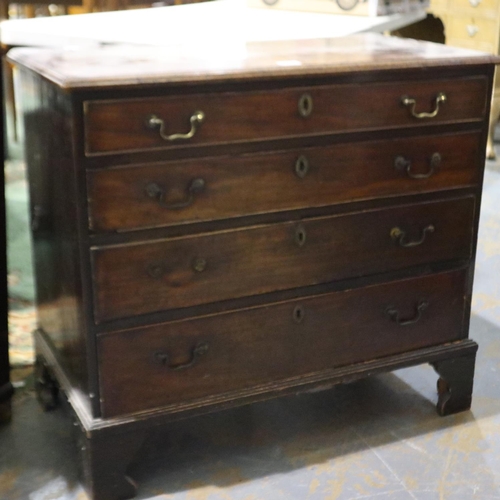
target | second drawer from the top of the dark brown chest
[{"x": 200, "y": 190}]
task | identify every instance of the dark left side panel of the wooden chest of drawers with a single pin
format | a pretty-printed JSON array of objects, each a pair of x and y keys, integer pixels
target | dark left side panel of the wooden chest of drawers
[{"x": 53, "y": 215}]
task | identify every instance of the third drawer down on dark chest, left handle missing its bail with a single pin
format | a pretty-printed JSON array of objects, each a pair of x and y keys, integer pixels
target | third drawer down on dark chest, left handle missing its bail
[{"x": 180, "y": 272}]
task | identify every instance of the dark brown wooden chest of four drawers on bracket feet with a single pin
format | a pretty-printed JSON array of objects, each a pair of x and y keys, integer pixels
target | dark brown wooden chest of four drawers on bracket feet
[{"x": 210, "y": 232}]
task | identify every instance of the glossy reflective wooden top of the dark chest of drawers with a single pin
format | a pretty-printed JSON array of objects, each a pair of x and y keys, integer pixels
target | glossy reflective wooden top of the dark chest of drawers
[{"x": 135, "y": 65}]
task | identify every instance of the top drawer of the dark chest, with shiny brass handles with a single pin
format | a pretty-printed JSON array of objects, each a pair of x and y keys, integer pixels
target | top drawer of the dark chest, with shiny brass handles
[{"x": 127, "y": 125}]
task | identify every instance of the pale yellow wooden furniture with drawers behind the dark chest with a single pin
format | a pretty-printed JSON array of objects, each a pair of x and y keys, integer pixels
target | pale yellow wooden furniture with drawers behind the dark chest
[{"x": 474, "y": 24}]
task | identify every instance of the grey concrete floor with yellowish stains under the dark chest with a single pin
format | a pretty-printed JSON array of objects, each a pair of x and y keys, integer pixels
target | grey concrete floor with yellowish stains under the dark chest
[{"x": 377, "y": 438}]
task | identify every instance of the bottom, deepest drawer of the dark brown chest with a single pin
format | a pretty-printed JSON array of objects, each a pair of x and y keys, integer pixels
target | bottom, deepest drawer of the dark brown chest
[{"x": 279, "y": 344}]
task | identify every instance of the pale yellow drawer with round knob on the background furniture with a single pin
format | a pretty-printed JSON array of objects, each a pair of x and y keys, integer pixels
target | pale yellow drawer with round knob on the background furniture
[{"x": 473, "y": 30}]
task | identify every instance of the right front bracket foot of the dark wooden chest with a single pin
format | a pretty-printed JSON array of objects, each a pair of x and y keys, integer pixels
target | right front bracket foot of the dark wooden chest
[{"x": 455, "y": 384}]
